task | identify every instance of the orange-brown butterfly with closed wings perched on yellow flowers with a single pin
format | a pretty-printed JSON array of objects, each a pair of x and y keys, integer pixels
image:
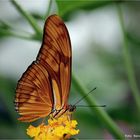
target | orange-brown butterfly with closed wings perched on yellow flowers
[{"x": 44, "y": 87}]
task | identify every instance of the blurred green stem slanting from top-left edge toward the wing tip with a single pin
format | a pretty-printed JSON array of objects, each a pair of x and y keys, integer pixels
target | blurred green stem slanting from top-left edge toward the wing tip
[{"x": 29, "y": 18}]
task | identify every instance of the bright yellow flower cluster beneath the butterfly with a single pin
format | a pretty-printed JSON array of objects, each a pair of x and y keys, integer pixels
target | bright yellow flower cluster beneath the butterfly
[{"x": 60, "y": 128}]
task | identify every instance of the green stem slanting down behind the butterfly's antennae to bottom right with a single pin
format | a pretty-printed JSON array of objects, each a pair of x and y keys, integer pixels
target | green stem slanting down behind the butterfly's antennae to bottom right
[{"x": 101, "y": 114}]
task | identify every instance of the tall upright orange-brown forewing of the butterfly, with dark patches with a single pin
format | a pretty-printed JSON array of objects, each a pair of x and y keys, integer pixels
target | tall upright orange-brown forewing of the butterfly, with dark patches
[{"x": 55, "y": 56}]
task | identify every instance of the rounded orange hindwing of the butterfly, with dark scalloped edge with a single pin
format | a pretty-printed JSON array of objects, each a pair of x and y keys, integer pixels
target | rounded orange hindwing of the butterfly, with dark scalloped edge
[{"x": 34, "y": 94}]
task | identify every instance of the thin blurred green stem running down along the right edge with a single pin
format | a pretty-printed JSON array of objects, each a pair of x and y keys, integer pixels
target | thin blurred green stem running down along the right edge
[{"x": 128, "y": 61}]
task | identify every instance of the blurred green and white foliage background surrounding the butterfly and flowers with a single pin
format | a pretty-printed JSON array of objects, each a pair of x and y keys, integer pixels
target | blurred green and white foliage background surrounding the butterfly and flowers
[{"x": 105, "y": 38}]
